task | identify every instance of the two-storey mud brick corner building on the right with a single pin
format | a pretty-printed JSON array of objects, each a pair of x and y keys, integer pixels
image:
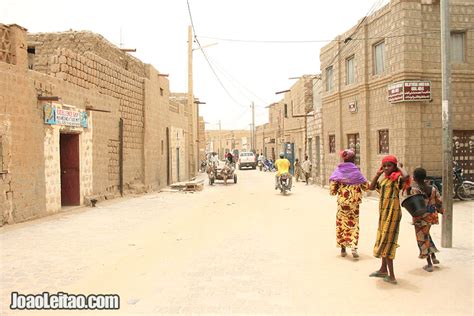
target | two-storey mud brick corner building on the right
[{"x": 382, "y": 87}]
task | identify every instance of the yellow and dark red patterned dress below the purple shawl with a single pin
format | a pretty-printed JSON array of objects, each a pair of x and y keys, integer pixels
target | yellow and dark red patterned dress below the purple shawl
[{"x": 347, "y": 216}]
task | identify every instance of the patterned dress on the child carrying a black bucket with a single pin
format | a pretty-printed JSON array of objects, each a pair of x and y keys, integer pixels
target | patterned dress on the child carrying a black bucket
[{"x": 423, "y": 223}]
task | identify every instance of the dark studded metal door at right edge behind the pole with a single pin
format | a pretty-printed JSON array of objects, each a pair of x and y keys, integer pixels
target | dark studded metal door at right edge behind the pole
[{"x": 463, "y": 152}]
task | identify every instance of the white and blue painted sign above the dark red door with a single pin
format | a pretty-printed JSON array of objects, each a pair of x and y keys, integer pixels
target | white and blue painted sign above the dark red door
[{"x": 55, "y": 115}]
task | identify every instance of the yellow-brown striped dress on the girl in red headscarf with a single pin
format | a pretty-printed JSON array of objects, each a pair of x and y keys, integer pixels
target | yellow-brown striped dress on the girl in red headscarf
[{"x": 390, "y": 214}]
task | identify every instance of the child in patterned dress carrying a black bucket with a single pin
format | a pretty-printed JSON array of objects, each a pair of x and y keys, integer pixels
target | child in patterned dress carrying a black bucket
[{"x": 423, "y": 223}]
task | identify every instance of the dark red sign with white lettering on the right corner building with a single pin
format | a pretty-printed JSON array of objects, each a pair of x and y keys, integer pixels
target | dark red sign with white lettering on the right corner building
[{"x": 409, "y": 90}]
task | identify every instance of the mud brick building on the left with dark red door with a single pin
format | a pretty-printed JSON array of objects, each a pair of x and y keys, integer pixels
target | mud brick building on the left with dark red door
[{"x": 79, "y": 120}]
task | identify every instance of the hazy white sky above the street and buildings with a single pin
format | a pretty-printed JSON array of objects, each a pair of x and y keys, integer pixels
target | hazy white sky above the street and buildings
[{"x": 249, "y": 66}]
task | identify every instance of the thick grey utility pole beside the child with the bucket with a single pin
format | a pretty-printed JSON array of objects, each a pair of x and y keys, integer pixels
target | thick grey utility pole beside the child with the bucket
[{"x": 446, "y": 111}]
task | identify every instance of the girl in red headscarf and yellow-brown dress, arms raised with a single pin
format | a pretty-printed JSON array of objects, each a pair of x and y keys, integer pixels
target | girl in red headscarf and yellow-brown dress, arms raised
[{"x": 395, "y": 179}]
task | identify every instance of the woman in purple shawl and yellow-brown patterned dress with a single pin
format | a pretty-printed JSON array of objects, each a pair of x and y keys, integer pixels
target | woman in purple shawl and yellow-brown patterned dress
[{"x": 347, "y": 182}]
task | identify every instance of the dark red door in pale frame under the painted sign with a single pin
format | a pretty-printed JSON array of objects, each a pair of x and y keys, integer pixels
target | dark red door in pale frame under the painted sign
[{"x": 69, "y": 162}]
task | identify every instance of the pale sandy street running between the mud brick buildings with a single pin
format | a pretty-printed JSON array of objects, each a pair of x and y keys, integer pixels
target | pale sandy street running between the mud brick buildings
[{"x": 241, "y": 248}]
